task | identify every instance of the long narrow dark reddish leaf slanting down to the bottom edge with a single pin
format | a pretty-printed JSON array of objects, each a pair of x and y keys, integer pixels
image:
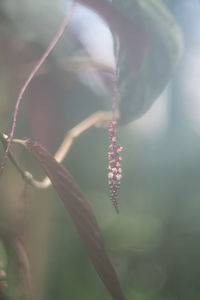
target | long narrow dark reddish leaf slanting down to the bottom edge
[{"x": 81, "y": 214}]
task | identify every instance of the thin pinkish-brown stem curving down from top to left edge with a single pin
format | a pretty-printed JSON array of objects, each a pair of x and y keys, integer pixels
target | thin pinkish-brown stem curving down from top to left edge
[{"x": 30, "y": 77}]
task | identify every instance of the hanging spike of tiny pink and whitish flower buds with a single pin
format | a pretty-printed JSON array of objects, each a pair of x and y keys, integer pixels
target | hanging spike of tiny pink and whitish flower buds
[{"x": 114, "y": 165}]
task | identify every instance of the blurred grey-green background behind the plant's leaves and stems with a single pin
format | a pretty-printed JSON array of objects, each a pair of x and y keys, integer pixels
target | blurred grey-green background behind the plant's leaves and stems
[{"x": 154, "y": 243}]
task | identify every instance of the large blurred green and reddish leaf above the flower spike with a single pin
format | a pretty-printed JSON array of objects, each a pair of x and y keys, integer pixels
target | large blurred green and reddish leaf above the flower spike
[{"x": 152, "y": 46}]
